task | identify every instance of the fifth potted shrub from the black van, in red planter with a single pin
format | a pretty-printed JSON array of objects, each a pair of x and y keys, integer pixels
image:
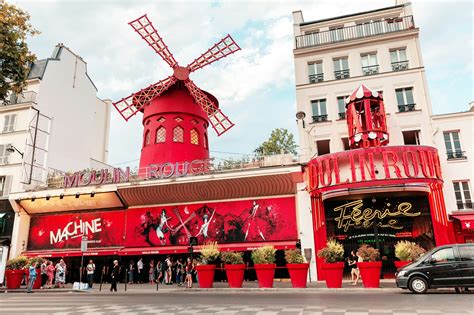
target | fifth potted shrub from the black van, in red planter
[{"x": 264, "y": 262}]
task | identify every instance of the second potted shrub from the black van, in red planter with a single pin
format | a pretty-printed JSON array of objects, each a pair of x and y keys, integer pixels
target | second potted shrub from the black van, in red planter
[{"x": 370, "y": 267}]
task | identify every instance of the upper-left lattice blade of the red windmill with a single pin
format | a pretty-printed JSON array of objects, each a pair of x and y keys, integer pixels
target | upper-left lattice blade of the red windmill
[{"x": 144, "y": 27}]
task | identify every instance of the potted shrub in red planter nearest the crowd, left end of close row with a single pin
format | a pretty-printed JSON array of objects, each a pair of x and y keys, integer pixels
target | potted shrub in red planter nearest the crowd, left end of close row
[{"x": 207, "y": 268}]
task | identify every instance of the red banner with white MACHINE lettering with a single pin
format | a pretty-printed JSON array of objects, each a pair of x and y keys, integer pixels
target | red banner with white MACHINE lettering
[{"x": 64, "y": 231}]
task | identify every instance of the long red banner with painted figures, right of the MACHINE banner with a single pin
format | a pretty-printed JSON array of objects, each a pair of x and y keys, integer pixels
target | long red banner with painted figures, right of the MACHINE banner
[{"x": 259, "y": 220}]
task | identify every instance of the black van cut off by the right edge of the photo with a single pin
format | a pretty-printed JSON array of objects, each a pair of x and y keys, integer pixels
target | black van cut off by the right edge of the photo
[{"x": 442, "y": 267}]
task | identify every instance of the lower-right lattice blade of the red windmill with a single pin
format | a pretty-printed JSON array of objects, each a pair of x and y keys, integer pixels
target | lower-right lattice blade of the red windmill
[{"x": 220, "y": 122}]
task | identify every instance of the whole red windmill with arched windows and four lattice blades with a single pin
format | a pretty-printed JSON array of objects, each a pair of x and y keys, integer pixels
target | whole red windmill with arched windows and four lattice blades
[{"x": 176, "y": 113}]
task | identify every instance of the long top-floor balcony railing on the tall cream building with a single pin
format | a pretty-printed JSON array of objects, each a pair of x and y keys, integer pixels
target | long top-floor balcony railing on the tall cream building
[{"x": 371, "y": 29}]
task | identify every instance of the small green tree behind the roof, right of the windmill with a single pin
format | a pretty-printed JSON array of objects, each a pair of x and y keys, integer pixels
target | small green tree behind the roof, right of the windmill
[{"x": 280, "y": 141}]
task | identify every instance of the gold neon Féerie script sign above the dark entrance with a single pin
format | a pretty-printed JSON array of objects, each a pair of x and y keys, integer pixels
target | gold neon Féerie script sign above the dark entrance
[{"x": 352, "y": 214}]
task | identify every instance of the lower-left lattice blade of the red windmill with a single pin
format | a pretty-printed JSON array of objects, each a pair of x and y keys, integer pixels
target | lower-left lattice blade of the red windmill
[{"x": 132, "y": 104}]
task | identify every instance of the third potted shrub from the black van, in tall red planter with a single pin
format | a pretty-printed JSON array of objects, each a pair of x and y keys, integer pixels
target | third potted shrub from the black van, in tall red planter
[{"x": 333, "y": 266}]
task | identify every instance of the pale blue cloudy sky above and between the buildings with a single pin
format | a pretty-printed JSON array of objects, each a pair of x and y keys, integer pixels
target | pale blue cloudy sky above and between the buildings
[{"x": 255, "y": 86}]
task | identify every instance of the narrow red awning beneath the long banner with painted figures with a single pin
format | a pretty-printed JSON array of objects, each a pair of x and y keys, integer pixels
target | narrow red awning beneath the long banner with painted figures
[{"x": 131, "y": 251}]
